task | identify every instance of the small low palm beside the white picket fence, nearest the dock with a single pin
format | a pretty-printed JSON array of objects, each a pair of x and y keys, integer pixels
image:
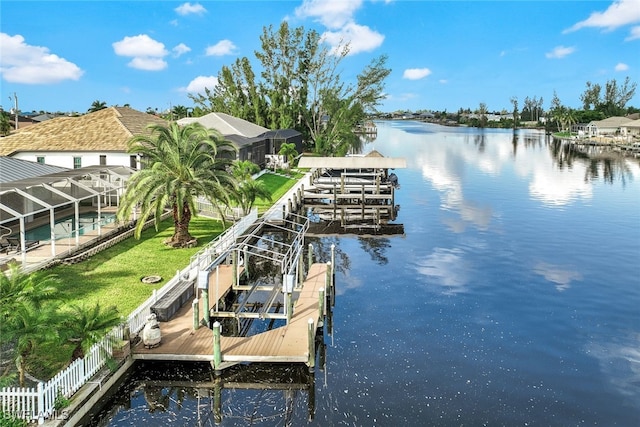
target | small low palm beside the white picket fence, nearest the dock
[{"x": 84, "y": 326}]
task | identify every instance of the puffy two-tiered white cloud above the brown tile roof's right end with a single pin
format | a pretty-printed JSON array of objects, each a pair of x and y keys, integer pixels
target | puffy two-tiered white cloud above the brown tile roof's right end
[{"x": 147, "y": 53}]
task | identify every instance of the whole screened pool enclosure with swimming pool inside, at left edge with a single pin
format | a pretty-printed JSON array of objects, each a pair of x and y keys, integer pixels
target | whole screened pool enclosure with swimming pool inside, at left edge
[{"x": 61, "y": 207}]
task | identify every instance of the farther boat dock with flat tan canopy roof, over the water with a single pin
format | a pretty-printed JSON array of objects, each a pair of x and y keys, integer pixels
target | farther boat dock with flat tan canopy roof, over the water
[{"x": 352, "y": 195}]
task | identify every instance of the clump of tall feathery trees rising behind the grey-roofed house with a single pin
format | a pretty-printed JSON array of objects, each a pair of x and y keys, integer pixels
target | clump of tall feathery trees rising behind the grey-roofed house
[{"x": 300, "y": 87}]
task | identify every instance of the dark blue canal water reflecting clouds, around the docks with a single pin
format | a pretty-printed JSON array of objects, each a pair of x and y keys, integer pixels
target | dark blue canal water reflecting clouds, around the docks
[{"x": 513, "y": 298}]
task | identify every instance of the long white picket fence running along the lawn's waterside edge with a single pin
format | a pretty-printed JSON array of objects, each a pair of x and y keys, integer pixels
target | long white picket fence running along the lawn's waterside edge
[{"x": 38, "y": 403}]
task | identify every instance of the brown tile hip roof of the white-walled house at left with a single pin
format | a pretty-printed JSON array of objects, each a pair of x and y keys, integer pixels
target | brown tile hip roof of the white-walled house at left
[{"x": 108, "y": 129}]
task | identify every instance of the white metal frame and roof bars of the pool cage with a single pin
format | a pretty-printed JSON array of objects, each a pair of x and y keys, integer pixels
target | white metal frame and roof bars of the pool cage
[{"x": 27, "y": 202}]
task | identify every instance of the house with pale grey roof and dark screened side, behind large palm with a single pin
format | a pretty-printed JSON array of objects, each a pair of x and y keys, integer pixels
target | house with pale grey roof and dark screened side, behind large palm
[{"x": 254, "y": 143}]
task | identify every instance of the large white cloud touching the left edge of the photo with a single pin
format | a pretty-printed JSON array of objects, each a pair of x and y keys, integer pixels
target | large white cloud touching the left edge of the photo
[{"x": 23, "y": 63}]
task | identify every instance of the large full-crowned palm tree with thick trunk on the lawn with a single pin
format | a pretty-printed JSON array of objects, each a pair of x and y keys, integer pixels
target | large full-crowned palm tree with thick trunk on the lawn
[{"x": 180, "y": 165}]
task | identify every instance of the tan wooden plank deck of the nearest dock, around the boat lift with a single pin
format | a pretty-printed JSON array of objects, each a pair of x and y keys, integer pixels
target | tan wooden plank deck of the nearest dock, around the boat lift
[{"x": 289, "y": 343}]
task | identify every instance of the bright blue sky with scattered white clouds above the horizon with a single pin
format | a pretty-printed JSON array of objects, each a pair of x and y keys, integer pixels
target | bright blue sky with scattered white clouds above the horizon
[{"x": 63, "y": 55}]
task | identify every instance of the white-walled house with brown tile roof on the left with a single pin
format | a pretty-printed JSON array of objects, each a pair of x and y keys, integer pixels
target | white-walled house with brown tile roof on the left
[{"x": 94, "y": 139}]
